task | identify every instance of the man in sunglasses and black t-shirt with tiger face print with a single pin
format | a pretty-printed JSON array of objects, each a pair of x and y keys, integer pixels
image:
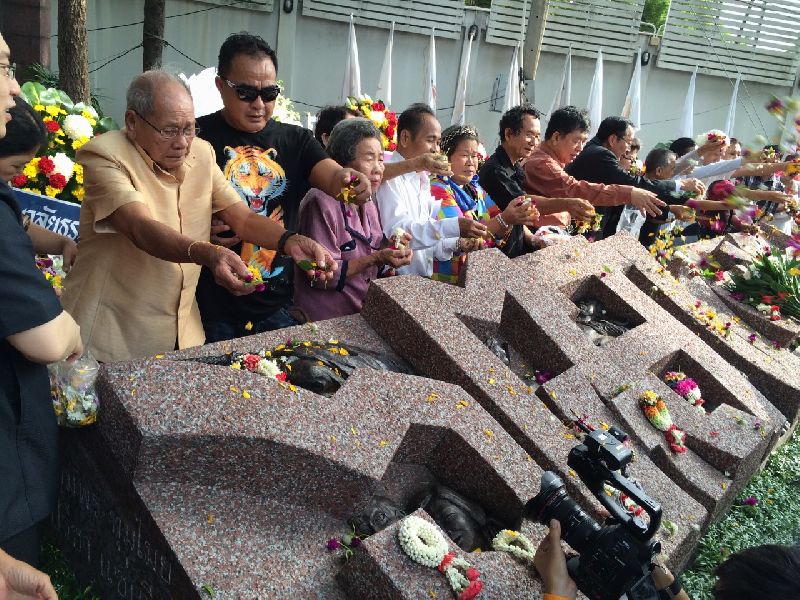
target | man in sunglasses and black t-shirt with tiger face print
[{"x": 271, "y": 165}]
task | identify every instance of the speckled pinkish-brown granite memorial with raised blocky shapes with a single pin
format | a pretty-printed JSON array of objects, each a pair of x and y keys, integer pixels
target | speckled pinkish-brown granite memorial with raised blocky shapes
[{"x": 186, "y": 483}]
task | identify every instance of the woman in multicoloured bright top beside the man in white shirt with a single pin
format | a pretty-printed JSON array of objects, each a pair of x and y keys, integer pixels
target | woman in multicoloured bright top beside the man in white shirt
[{"x": 462, "y": 196}]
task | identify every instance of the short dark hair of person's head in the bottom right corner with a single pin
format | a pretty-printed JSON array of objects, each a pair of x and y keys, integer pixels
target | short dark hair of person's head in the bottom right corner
[{"x": 769, "y": 571}]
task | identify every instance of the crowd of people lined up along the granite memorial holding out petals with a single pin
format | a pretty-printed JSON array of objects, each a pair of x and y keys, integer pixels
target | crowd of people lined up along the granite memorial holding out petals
[{"x": 202, "y": 230}]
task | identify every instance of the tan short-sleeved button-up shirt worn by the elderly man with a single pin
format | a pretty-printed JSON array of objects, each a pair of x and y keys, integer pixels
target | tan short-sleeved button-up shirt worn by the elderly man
[{"x": 128, "y": 303}]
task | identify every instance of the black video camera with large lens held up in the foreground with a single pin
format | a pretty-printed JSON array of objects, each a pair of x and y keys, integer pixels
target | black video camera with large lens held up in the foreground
[{"x": 615, "y": 558}]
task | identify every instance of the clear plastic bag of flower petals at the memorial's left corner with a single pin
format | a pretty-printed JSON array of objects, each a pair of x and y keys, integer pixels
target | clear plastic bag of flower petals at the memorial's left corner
[{"x": 72, "y": 386}]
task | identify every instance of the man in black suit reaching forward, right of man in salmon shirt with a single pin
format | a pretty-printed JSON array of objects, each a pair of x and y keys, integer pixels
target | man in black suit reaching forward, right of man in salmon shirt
[{"x": 599, "y": 163}]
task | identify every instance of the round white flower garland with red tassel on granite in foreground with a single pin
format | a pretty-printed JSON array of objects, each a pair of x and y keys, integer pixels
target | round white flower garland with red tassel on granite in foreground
[{"x": 424, "y": 544}]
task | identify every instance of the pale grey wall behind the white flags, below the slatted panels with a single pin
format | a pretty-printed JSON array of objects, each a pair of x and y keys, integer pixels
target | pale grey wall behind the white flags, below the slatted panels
[{"x": 312, "y": 64}]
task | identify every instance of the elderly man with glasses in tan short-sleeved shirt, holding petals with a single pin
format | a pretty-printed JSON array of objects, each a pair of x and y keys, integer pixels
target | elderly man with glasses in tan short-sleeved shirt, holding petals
[{"x": 145, "y": 224}]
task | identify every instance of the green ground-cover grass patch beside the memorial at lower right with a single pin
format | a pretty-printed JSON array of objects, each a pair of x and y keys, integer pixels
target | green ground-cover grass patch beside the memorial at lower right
[{"x": 774, "y": 520}]
